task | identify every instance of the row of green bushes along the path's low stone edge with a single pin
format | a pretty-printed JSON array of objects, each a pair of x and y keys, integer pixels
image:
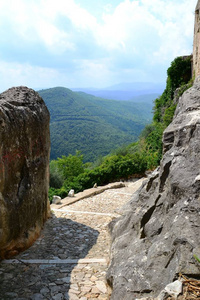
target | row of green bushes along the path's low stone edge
[{"x": 112, "y": 168}]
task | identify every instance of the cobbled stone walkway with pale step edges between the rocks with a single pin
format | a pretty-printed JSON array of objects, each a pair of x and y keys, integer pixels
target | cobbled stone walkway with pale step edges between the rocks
[{"x": 70, "y": 258}]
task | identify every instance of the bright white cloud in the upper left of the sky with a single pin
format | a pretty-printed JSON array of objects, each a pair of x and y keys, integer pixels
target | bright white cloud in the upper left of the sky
[{"x": 33, "y": 20}]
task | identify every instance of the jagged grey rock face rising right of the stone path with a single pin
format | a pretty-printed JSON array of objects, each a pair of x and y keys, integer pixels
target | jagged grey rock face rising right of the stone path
[{"x": 160, "y": 230}]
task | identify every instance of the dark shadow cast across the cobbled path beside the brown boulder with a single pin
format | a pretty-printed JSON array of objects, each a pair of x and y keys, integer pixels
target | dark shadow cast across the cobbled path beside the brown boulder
[{"x": 61, "y": 239}]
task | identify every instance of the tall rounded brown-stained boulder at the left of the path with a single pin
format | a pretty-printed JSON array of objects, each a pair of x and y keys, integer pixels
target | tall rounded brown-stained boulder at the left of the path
[{"x": 24, "y": 168}]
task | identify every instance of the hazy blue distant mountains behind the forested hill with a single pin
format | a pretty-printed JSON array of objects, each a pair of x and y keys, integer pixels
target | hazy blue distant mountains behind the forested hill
[{"x": 127, "y": 91}]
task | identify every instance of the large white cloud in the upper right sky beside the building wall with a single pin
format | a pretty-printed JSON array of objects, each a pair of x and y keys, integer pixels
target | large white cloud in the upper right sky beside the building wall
[{"x": 138, "y": 25}]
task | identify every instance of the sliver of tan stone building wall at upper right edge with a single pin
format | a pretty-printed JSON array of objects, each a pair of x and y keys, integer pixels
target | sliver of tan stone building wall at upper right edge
[{"x": 196, "y": 43}]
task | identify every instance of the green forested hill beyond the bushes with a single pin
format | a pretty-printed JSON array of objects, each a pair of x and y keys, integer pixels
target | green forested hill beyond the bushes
[{"x": 92, "y": 125}]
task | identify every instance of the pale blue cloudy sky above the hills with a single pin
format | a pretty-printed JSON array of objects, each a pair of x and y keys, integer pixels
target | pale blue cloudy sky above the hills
[{"x": 85, "y": 43}]
